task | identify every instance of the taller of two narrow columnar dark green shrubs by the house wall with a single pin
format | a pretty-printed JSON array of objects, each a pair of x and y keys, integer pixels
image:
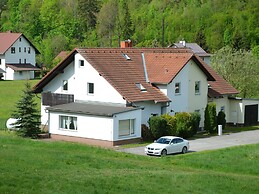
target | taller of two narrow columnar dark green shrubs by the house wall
[{"x": 210, "y": 122}]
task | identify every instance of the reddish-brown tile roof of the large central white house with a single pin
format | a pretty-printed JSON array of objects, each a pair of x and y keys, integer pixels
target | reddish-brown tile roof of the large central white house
[{"x": 123, "y": 68}]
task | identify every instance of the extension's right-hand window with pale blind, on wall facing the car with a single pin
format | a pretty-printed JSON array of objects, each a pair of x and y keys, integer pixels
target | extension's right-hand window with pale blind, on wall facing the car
[{"x": 126, "y": 127}]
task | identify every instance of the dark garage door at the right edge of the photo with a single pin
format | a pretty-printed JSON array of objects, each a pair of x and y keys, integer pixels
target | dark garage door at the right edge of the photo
[{"x": 251, "y": 114}]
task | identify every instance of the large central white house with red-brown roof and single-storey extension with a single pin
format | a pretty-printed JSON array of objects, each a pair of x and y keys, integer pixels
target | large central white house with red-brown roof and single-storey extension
[{"x": 103, "y": 95}]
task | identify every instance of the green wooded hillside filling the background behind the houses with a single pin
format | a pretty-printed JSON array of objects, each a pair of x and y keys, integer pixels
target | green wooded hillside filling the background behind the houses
[{"x": 218, "y": 26}]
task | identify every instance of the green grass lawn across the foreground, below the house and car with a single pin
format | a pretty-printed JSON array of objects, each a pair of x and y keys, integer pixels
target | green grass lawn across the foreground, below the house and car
[{"x": 35, "y": 166}]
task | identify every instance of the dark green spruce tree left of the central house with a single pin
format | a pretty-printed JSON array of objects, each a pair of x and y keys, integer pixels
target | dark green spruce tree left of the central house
[{"x": 28, "y": 117}]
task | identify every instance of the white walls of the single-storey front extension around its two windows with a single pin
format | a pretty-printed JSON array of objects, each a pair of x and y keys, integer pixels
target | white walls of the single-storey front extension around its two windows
[{"x": 96, "y": 127}]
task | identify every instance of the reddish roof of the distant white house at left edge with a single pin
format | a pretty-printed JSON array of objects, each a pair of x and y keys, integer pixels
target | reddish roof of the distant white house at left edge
[{"x": 8, "y": 39}]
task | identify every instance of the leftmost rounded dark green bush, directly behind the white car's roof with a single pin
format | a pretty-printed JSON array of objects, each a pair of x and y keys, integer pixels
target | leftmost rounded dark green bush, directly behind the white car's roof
[{"x": 158, "y": 126}]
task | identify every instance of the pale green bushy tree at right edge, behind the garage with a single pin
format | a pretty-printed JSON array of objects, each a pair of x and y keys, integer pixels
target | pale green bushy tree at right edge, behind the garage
[{"x": 240, "y": 68}]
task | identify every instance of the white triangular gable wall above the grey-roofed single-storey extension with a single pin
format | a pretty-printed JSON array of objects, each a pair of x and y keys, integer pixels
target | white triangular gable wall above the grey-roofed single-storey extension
[{"x": 78, "y": 77}]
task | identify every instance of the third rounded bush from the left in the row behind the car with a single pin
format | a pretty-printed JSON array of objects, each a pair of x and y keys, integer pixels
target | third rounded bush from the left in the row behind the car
[{"x": 183, "y": 124}]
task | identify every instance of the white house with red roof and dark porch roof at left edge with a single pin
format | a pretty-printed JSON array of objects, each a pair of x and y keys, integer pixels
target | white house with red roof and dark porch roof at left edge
[{"x": 17, "y": 56}]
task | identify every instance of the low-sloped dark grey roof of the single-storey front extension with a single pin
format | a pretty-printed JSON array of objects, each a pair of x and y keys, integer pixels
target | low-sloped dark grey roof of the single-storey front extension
[{"x": 92, "y": 108}]
